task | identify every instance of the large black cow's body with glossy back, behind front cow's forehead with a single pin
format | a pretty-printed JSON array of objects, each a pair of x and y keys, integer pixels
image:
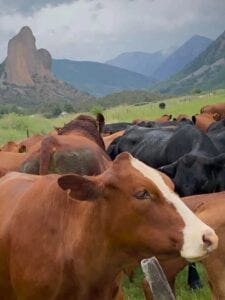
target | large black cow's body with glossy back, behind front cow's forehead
[{"x": 161, "y": 146}]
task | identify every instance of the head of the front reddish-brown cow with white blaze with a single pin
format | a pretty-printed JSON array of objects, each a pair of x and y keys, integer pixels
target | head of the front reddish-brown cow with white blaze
[{"x": 139, "y": 211}]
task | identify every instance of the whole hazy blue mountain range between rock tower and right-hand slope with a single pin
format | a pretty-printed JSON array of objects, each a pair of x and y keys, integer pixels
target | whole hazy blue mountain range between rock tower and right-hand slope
[{"x": 130, "y": 70}]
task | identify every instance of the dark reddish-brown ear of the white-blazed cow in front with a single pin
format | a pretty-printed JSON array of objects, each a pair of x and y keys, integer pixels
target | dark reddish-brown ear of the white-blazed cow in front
[{"x": 79, "y": 187}]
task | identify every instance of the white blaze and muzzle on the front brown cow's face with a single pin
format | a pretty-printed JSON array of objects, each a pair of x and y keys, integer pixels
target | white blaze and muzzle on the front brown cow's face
[{"x": 194, "y": 229}]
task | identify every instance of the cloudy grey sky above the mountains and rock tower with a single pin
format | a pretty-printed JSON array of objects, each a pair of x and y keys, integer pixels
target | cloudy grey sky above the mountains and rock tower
[{"x": 101, "y": 29}]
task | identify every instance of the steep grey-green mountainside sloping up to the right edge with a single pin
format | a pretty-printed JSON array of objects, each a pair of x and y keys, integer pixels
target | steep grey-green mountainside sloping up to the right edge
[{"x": 205, "y": 72}]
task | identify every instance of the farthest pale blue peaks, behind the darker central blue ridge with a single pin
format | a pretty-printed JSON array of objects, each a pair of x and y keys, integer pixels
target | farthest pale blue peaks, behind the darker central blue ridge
[{"x": 161, "y": 65}]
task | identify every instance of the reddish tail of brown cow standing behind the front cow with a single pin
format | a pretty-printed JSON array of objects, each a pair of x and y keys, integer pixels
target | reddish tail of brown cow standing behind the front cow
[{"x": 48, "y": 146}]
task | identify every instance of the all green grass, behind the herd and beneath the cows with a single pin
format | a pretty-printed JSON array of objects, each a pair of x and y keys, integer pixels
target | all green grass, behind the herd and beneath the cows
[{"x": 14, "y": 127}]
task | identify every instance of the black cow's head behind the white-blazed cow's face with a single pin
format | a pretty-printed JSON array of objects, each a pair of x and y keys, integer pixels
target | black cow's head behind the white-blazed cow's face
[{"x": 194, "y": 174}]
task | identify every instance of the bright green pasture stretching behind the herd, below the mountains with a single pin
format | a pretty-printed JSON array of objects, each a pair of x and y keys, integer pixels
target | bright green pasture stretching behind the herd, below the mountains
[{"x": 13, "y": 127}]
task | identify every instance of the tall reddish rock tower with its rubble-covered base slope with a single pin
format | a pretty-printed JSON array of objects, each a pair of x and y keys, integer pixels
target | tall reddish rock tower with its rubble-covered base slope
[{"x": 26, "y": 76}]
